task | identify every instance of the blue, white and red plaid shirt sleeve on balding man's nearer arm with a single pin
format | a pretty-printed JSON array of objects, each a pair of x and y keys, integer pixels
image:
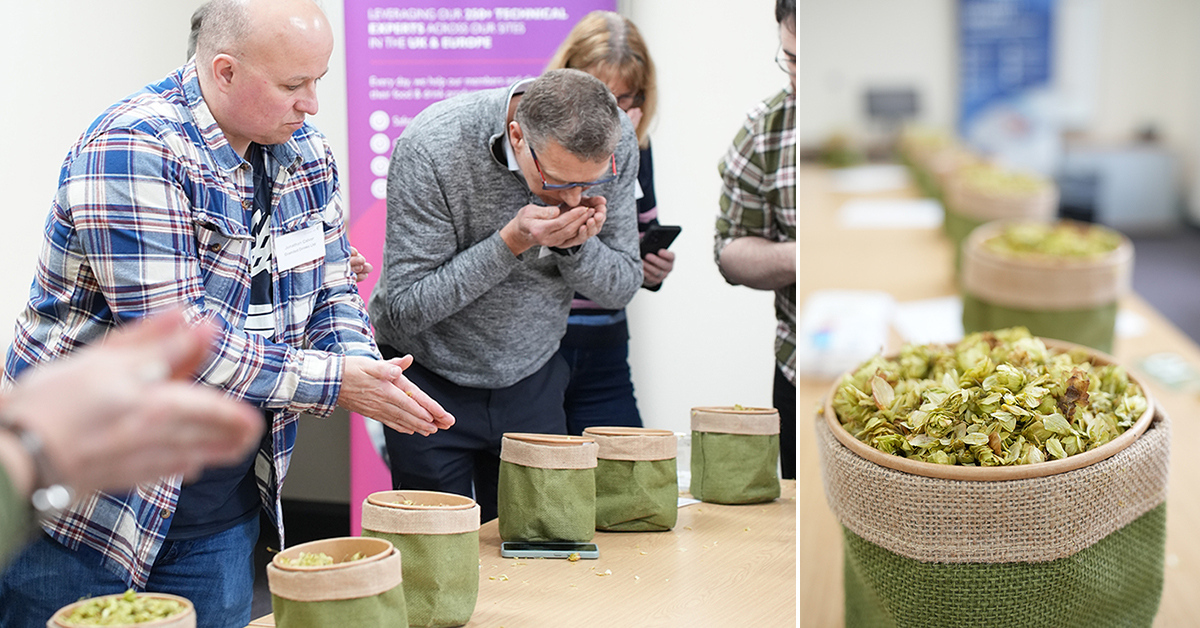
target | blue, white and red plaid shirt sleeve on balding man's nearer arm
[{"x": 127, "y": 196}]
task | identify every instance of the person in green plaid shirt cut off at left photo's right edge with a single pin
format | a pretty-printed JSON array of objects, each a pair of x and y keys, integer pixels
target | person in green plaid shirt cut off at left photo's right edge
[{"x": 757, "y": 229}]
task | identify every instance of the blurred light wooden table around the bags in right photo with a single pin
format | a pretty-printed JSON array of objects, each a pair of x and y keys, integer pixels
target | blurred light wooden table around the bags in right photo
[{"x": 919, "y": 265}]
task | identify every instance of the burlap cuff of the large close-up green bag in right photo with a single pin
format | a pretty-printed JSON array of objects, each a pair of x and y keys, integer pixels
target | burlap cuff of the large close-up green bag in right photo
[{"x": 1028, "y": 521}]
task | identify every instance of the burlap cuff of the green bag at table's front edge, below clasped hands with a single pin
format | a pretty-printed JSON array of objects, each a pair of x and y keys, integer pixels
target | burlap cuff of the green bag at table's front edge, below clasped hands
[{"x": 355, "y": 582}]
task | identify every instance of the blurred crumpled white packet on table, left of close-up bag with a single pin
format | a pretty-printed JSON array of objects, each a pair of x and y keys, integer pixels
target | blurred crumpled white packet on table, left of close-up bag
[{"x": 839, "y": 330}]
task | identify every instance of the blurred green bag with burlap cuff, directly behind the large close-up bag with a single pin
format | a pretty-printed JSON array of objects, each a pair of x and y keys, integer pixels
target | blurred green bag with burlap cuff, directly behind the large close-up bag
[{"x": 1053, "y": 297}]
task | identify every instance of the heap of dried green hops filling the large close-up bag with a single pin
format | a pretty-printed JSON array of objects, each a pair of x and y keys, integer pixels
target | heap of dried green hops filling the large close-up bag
[{"x": 998, "y": 398}]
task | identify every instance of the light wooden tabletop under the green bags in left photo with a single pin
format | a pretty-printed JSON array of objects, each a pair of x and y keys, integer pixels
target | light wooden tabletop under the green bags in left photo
[{"x": 722, "y": 566}]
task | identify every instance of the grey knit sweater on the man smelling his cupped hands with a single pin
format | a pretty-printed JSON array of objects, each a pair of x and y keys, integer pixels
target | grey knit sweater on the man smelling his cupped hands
[{"x": 452, "y": 292}]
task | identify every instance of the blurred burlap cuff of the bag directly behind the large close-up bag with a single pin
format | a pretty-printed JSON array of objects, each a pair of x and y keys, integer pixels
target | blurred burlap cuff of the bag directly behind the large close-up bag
[{"x": 1043, "y": 284}]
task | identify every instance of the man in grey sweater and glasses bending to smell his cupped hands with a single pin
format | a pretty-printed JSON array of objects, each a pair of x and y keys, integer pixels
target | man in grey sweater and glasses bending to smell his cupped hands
[{"x": 489, "y": 237}]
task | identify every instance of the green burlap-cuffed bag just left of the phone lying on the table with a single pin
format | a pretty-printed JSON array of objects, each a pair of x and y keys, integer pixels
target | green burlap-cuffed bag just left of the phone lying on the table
[{"x": 437, "y": 535}]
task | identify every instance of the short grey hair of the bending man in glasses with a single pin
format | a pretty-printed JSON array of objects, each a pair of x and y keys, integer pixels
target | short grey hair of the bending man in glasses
[{"x": 574, "y": 110}]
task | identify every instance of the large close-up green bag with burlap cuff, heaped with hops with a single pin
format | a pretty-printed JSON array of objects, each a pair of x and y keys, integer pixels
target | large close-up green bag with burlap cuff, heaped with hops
[{"x": 1007, "y": 481}]
